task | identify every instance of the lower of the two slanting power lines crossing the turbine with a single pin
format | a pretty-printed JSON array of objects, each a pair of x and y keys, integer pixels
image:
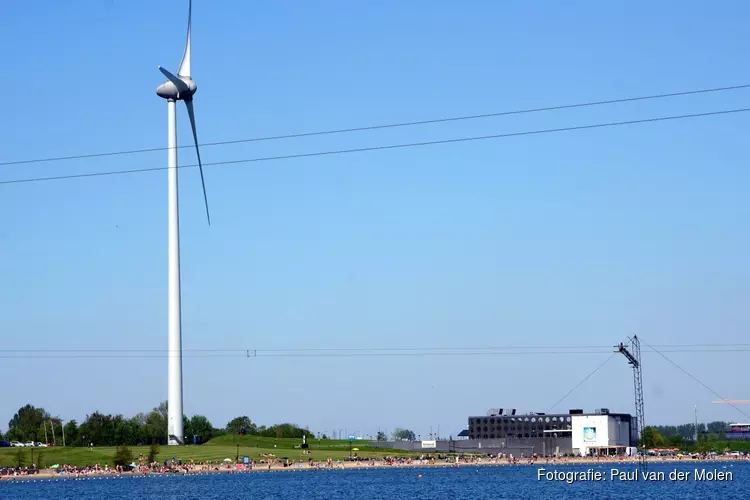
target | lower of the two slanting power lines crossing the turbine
[{"x": 385, "y": 147}]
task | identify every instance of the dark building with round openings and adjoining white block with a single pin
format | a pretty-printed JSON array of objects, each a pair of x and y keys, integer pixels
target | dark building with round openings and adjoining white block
[{"x": 575, "y": 432}]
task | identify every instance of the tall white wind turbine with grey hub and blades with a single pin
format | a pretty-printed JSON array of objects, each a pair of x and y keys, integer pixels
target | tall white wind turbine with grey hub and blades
[{"x": 177, "y": 88}]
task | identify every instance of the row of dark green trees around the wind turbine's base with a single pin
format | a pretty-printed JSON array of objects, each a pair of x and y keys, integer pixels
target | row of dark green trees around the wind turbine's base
[{"x": 36, "y": 424}]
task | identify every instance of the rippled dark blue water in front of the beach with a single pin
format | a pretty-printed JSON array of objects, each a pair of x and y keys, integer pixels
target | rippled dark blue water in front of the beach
[{"x": 475, "y": 483}]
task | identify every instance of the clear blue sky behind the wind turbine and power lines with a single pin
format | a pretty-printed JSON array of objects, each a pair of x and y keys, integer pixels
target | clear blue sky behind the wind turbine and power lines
[{"x": 569, "y": 239}]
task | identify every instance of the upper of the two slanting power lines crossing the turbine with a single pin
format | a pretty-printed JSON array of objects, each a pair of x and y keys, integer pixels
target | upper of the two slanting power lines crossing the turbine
[{"x": 386, "y": 126}]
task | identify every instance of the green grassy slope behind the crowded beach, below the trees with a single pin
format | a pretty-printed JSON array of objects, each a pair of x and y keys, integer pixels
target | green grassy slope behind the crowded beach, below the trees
[{"x": 215, "y": 450}]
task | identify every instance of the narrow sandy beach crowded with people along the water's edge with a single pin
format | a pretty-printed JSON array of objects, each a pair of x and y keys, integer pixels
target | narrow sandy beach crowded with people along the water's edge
[{"x": 50, "y": 475}]
